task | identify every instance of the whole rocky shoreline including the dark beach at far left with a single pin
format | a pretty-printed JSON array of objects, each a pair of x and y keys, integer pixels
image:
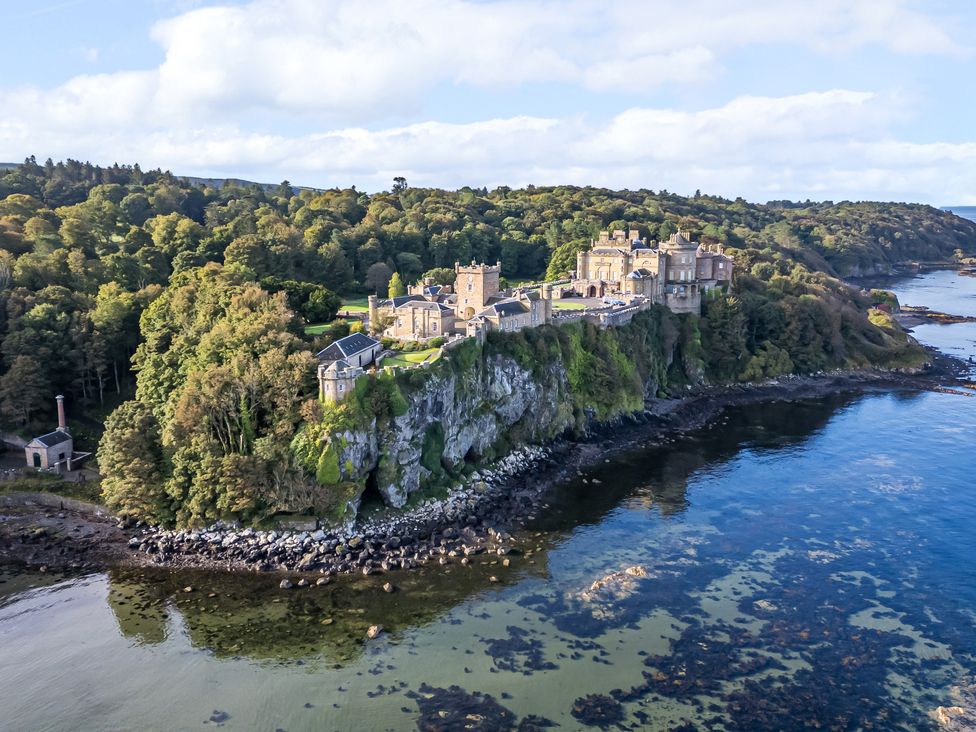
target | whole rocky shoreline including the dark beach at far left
[{"x": 471, "y": 524}]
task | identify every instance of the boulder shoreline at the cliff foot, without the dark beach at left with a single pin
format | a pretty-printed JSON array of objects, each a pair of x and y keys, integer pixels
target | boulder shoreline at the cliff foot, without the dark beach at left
[{"x": 476, "y": 520}]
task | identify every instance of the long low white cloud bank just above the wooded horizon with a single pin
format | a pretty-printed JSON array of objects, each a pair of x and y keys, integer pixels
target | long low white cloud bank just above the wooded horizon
[{"x": 833, "y": 144}]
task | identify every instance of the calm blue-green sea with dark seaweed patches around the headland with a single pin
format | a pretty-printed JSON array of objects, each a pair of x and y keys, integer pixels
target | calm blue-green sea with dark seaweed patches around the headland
[{"x": 808, "y": 565}]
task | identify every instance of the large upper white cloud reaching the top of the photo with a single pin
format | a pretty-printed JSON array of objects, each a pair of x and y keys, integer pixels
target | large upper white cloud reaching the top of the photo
[{"x": 340, "y": 62}]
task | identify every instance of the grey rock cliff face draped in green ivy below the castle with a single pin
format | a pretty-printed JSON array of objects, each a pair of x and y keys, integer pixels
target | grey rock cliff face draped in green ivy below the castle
[{"x": 480, "y": 402}]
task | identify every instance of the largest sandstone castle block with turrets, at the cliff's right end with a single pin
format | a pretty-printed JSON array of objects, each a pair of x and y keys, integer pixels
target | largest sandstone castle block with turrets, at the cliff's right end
[{"x": 672, "y": 273}]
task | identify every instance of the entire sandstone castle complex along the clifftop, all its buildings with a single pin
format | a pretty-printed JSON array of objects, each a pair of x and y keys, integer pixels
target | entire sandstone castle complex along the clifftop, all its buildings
[{"x": 622, "y": 272}]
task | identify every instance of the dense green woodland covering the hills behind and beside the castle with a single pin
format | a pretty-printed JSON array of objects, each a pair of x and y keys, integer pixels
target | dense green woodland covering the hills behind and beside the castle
[{"x": 108, "y": 274}]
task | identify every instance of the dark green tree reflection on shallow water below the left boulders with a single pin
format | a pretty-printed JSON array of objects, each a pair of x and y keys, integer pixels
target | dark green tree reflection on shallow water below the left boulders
[{"x": 249, "y": 615}]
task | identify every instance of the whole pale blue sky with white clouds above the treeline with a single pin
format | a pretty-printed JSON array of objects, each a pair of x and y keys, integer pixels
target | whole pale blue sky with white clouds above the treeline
[{"x": 764, "y": 99}]
